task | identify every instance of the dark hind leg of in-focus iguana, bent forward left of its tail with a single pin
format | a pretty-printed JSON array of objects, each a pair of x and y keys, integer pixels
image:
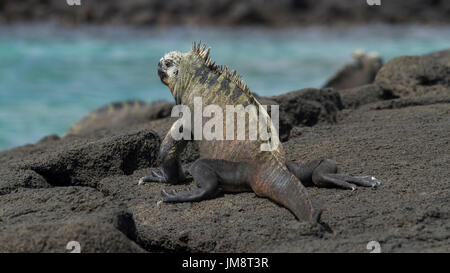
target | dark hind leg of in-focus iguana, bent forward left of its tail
[{"x": 211, "y": 175}]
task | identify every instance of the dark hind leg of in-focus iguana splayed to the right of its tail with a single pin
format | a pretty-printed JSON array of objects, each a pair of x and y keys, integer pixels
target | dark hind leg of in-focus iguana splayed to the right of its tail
[{"x": 323, "y": 173}]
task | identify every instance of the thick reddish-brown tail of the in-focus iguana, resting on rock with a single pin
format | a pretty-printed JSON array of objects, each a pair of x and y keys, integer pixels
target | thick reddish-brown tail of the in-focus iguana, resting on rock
[{"x": 284, "y": 188}]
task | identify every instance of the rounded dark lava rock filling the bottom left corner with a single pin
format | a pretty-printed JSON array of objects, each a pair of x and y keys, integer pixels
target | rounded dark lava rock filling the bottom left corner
[{"x": 46, "y": 220}]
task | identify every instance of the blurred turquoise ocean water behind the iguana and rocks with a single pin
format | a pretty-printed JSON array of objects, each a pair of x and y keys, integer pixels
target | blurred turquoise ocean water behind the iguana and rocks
[{"x": 51, "y": 76}]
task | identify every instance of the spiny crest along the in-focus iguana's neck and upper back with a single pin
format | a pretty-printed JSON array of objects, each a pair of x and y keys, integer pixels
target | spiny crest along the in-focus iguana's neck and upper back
[{"x": 203, "y": 53}]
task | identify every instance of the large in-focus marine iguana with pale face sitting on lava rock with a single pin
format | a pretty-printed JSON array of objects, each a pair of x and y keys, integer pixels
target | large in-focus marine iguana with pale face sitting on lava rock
[{"x": 235, "y": 165}]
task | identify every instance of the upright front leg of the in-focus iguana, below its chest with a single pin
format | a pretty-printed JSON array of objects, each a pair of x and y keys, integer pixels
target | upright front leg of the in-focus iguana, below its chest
[{"x": 171, "y": 169}]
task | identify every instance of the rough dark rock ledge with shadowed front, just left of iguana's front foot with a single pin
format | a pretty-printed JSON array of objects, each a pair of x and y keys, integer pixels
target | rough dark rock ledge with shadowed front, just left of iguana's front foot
[{"x": 87, "y": 163}]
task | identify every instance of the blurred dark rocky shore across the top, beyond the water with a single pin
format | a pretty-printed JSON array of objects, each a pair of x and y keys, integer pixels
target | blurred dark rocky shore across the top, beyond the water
[{"x": 226, "y": 12}]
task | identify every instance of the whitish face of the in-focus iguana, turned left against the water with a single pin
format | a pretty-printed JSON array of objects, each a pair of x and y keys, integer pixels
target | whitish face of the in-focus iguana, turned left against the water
[{"x": 168, "y": 67}]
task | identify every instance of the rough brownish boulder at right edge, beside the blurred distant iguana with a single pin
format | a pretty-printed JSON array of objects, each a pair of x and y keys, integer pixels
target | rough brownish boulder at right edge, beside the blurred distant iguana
[{"x": 405, "y": 81}]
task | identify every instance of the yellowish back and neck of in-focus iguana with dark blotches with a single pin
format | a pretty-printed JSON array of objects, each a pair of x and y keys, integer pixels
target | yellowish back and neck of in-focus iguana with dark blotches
[{"x": 216, "y": 85}]
